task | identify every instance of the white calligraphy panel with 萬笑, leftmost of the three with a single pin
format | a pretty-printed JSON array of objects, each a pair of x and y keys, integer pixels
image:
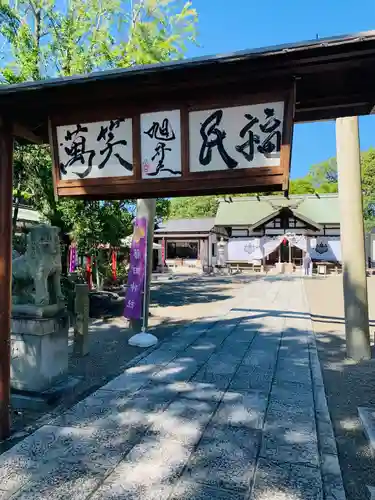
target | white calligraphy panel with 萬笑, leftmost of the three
[{"x": 94, "y": 150}]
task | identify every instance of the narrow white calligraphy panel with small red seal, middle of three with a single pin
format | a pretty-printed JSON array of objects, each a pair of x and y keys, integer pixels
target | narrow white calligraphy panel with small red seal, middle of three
[{"x": 161, "y": 145}]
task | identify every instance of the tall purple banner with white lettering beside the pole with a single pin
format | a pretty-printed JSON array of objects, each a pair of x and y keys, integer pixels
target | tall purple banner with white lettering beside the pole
[{"x": 136, "y": 278}]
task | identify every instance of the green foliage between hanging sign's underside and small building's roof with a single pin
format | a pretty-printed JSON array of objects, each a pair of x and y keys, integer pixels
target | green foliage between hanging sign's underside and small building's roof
[{"x": 194, "y": 207}]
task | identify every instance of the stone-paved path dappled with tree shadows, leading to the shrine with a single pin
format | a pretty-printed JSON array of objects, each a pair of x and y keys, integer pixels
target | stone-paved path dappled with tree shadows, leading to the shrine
[{"x": 230, "y": 408}]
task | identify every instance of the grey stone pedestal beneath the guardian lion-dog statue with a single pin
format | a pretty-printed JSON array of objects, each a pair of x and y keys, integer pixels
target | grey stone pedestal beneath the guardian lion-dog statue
[{"x": 39, "y": 351}]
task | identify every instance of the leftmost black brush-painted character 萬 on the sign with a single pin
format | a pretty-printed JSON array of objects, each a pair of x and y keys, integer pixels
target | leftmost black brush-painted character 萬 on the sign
[{"x": 77, "y": 151}]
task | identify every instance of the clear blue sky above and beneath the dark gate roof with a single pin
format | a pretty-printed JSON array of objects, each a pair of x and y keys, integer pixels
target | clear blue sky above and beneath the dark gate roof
[{"x": 227, "y": 26}]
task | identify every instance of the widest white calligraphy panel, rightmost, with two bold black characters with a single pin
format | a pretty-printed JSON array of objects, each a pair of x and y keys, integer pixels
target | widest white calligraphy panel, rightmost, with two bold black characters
[{"x": 236, "y": 137}]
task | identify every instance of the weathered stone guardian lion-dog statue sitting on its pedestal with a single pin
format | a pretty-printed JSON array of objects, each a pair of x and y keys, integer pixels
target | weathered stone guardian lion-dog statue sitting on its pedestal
[{"x": 36, "y": 274}]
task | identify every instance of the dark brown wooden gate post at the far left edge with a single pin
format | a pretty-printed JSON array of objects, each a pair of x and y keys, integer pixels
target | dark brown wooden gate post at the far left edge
[{"x": 6, "y": 199}]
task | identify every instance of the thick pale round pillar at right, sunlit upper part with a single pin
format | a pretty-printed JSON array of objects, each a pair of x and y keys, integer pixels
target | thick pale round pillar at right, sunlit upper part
[{"x": 352, "y": 239}]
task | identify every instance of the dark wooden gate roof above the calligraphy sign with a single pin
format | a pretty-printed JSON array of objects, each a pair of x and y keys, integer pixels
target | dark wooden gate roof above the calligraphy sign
[{"x": 334, "y": 77}]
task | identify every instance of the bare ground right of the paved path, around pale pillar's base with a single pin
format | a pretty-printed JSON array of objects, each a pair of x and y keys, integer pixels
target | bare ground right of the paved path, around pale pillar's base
[{"x": 347, "y": 384}]
